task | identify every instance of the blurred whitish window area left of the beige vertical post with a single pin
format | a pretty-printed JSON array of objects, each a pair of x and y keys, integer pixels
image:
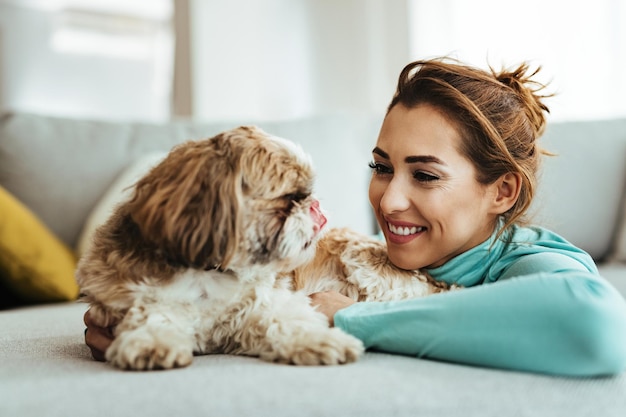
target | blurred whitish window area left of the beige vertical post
[{"x": 106, "y": 59}]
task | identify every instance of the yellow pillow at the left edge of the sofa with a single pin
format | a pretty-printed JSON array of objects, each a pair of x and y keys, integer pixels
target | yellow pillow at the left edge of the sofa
[{"x": 34, "y": 263}]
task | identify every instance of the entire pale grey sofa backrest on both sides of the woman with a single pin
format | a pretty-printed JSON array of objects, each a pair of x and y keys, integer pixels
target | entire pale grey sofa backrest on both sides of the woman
[{"x": 60, "y": 168}]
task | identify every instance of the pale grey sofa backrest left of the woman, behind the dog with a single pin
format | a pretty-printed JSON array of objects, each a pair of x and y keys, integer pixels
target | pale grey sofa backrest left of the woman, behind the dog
[{"x": 60, "y": 167}]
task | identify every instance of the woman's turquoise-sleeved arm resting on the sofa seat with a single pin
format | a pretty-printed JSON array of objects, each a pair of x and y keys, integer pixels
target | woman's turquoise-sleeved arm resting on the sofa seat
[{"x": 569, "y": 322}]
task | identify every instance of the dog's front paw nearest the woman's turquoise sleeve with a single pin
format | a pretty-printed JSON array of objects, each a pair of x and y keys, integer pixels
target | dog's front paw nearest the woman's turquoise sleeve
[{"x": 329, "y": 346}]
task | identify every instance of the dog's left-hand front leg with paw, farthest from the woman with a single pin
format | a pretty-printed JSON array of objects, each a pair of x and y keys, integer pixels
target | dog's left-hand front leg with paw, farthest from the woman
[{"x": 153, "y": 336}]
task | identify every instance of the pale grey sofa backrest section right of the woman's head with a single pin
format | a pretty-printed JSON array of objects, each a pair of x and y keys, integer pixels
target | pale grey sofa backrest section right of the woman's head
[{"x": 582, "y": 186}]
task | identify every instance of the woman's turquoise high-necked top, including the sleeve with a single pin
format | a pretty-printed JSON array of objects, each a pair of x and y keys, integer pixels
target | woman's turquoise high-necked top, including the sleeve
[{"x": 530, "y": 302}]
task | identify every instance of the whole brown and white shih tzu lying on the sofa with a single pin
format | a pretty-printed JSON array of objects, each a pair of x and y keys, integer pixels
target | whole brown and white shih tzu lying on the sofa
[{"x": 216, "y": 251}]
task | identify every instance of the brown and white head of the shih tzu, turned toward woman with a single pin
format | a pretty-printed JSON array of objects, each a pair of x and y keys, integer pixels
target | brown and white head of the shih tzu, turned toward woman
[{"x": 238, "y": 199}]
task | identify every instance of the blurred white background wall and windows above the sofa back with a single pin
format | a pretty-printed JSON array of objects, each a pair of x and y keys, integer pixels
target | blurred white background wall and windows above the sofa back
[{"x": 156, "y": 60}]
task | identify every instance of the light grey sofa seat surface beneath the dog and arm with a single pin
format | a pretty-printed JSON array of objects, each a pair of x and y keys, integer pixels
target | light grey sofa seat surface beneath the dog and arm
[{"x": 46, "y": 370}]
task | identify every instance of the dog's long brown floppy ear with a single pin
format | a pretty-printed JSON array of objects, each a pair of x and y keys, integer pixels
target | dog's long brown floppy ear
[{"x": 189, "y": 205}]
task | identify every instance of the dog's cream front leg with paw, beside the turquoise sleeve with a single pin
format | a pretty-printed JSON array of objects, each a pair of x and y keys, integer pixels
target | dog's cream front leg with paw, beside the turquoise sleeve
[{"x": 298, "y": 334}]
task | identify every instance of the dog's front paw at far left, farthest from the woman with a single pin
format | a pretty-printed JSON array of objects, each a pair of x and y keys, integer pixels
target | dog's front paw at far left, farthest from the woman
[{"x": 143, "y": 350}]
